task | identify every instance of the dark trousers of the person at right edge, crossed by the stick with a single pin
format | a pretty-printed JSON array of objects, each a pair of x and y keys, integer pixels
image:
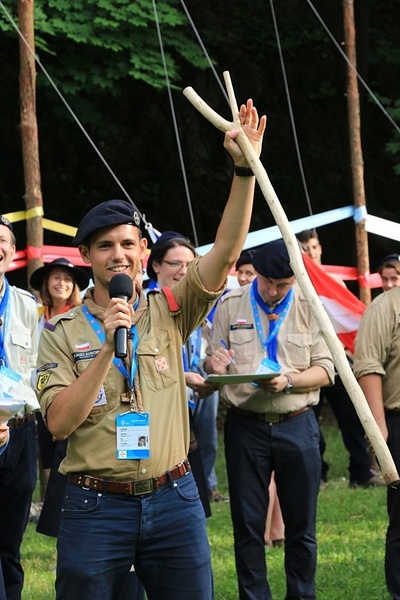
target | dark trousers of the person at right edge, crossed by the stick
[{"x": 392, "y": 557}]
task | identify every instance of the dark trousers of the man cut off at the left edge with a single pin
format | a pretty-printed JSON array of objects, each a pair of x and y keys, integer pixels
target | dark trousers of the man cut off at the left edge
[{"x": 18, "y": 469}]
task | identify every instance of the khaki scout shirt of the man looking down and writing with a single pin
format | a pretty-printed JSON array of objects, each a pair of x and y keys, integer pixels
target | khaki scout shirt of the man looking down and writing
[{"x": 300, "y": 346}]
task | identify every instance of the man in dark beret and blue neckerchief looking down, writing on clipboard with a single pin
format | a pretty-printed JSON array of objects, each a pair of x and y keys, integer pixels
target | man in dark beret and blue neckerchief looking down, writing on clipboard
[{"x": 267, "y": 327}]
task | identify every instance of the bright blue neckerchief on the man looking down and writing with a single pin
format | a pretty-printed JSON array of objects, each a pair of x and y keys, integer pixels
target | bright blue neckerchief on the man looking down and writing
[{"x": 275, "y": 318}]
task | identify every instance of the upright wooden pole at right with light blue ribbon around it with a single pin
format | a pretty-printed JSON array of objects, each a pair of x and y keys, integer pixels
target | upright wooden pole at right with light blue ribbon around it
[{"x": 357, "y": 163}]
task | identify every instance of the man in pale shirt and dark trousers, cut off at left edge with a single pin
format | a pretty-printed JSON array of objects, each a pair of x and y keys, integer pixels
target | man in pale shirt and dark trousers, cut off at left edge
[{"x": 18, "y": 462}]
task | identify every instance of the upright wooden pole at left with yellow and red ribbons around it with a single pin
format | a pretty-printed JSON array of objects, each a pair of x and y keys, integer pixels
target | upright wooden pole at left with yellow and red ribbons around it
[{"x": 29, "y": 137}]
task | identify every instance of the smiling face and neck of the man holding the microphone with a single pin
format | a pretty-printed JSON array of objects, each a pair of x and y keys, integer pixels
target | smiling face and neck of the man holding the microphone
[{"x": 118, "y": 249}]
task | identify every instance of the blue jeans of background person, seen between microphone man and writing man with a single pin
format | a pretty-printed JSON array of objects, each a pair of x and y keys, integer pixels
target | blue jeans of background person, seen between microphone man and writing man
[{"x": 205, "y": 428}]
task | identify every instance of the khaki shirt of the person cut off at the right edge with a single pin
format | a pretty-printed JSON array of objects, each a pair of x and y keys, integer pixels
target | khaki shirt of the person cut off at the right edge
[{"x": 377, "y": 347}]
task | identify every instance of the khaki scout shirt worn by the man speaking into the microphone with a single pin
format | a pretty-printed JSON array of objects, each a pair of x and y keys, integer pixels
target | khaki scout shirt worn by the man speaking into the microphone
[{"x": 65, "y": 352}]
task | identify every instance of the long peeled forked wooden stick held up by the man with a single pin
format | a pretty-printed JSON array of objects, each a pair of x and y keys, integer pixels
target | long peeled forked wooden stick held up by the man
[{"x": 372, "y": 430}]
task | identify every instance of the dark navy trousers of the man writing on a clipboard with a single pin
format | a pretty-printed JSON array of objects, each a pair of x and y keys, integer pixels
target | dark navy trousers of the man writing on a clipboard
[{"x": 254, "y": 449}]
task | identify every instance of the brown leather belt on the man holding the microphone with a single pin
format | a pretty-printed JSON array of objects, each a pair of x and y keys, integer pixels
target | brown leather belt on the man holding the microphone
[{"x": 129, "y": 488}]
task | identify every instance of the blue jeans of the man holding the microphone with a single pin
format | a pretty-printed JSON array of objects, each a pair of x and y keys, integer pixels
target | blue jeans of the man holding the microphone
[{"x": 163, "y": 534}]
